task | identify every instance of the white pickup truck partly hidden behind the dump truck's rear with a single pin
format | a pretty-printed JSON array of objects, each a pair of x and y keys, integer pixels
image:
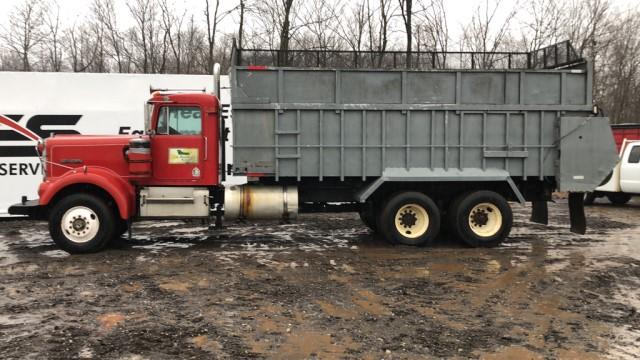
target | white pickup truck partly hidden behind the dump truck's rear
[{"x": 624, "y": 180}]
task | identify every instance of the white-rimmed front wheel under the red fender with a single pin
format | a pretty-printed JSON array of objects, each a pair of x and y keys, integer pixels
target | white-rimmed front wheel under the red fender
[{"x": 81, "y": 223}]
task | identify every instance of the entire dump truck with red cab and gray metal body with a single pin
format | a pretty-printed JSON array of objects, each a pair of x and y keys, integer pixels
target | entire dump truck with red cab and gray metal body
[{"x": 410, "y": 148}]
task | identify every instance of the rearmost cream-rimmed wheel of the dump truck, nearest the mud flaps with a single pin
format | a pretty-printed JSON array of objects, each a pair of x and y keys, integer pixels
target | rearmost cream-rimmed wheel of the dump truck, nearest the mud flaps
[{"x": 481, "y": 218}]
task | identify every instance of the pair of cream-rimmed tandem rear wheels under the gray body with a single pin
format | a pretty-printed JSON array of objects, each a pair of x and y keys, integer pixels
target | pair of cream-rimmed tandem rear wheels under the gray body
[{"x": 479, "y": 219}]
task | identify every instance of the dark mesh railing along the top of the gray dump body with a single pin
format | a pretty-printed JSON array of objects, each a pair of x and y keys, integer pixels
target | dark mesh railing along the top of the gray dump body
[{"x": 560, "y": 55}]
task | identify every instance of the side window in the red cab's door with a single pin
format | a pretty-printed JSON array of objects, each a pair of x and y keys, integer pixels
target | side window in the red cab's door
[{"x": 179, "y": 120}]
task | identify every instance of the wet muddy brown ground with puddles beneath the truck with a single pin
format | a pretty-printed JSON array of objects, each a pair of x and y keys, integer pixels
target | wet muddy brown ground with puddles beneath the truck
[{"x": 325, "y": 287}]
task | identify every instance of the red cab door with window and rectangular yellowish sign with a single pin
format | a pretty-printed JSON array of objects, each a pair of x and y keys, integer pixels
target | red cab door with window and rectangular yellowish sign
[{"x": 178, "y": 146}]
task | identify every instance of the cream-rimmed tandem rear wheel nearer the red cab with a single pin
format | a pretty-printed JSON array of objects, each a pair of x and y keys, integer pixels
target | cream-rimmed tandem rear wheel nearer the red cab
[{"x": 409, "y": 218}]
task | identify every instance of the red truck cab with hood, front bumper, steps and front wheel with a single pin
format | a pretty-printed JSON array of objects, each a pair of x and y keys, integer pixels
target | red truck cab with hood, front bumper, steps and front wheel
[{"x": 93, "y": 186}]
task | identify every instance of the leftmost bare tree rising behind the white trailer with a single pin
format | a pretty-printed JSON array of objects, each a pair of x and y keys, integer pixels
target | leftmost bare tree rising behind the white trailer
[{"x": 24, "y": 31}]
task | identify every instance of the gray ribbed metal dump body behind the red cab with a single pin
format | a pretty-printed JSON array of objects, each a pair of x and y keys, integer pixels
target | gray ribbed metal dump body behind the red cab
[{"x": 369, "y": 124}]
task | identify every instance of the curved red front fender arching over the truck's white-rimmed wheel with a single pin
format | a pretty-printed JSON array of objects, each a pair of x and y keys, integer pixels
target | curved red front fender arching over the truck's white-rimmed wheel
[{"x": 121, "y": 191}]
